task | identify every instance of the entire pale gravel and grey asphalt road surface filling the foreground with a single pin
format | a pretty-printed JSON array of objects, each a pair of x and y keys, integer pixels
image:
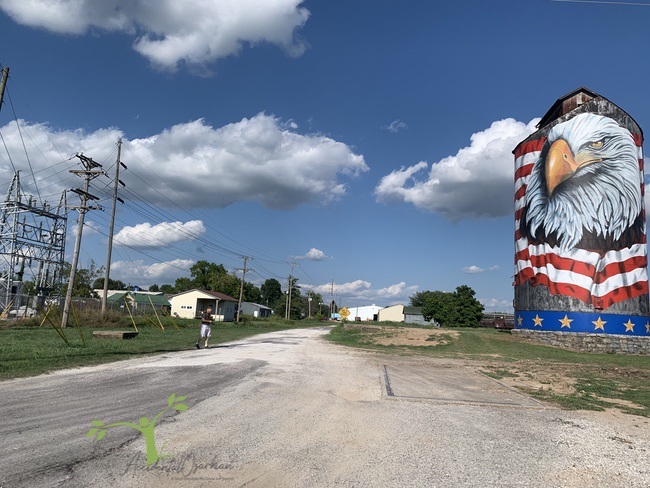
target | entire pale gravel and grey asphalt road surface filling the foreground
[{"x": 289, "y": 409}]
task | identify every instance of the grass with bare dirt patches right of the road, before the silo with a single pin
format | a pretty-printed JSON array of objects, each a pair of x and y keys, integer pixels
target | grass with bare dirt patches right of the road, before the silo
[{"x": 592, "y": 381}]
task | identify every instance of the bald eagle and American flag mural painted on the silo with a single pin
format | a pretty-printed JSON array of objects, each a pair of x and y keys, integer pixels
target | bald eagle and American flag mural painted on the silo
[{"x": 579, "y": 217}]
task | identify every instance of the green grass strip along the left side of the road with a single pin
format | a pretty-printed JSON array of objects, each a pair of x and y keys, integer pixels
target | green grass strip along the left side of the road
[{"x": 31, "y": 350}]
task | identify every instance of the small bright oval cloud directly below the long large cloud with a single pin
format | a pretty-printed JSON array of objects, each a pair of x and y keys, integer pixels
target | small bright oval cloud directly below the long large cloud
[{"x": 145, "y": 235}]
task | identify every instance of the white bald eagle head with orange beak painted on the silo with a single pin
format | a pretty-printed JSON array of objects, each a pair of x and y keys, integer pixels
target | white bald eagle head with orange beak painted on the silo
[{"x": 585, "y": 188}]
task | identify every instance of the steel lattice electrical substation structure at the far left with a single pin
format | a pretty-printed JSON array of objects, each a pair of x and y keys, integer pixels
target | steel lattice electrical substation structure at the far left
[{"x": 32, "y": 236}]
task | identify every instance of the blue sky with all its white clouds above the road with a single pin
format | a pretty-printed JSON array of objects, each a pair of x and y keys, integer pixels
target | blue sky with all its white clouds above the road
[{"x": 369, "y": 140}]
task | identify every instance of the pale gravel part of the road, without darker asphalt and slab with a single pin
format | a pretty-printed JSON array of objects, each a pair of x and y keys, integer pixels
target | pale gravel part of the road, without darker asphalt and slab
[{"x": 317, "y": 415}]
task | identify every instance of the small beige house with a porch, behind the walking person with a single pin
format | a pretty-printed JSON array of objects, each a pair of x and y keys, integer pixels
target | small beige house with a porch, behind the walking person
[{"x": 191, "y": 304}]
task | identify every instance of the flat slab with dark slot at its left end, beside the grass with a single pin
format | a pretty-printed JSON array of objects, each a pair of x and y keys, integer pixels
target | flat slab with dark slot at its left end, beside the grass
[{"x": 449, "y": 385}]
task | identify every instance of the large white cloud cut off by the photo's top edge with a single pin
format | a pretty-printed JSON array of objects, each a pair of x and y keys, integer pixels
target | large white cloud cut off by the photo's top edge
[{"x": 168, "y": 32}]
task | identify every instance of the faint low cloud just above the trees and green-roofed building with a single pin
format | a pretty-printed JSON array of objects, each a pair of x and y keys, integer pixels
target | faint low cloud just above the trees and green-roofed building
[{"x": 146, "y": 274}]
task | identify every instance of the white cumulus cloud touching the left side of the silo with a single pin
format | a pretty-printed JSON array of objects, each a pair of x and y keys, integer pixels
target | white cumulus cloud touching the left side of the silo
[{"x": 476, "y": 182}]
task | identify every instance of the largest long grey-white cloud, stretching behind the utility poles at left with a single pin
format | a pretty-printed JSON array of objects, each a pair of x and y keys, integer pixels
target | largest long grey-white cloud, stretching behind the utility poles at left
[{"x": 259, "y": 158}]
